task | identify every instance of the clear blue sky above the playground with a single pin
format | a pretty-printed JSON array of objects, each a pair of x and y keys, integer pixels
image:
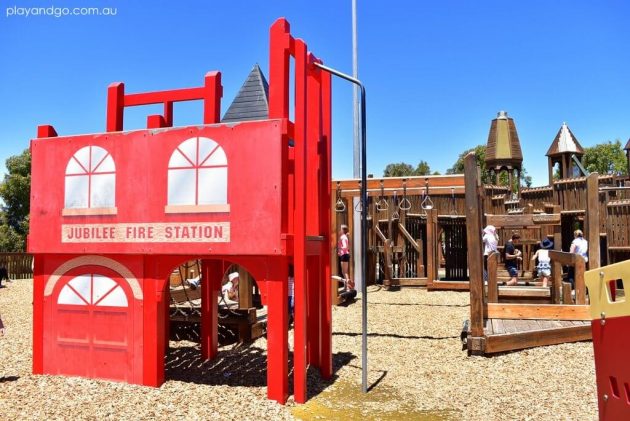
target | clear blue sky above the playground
[{"x": 436, "y": 72}]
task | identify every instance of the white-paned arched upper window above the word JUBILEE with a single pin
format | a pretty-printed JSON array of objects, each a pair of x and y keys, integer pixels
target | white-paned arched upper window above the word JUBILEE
[{"x": 90, "y": 182}]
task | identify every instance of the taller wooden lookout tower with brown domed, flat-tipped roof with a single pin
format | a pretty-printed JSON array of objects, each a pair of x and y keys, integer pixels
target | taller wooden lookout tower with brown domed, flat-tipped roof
[{"x": 503, "y": 151}]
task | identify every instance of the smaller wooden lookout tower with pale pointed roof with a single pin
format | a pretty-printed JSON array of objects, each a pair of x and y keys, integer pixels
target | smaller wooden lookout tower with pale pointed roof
[{"x": 565, "y": 151}]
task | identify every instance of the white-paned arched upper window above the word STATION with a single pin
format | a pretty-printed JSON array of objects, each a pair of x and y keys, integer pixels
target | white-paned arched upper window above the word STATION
[{"x": 197, "y": 177}]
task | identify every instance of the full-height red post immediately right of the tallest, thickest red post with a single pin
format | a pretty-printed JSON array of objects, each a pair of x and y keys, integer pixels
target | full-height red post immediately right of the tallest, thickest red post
[{"x": 299, "y": 347}]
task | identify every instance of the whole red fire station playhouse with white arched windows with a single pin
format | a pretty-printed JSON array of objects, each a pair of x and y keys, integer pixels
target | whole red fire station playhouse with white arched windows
[{"x": 113, "y": 213}]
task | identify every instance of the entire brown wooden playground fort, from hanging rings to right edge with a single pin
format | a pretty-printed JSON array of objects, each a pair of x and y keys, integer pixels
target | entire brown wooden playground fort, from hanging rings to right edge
[{"x": 426, "y": 231}]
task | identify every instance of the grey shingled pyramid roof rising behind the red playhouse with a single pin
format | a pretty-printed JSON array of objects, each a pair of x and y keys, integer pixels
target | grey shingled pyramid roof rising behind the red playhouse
[{"x": 252, "y": 100}]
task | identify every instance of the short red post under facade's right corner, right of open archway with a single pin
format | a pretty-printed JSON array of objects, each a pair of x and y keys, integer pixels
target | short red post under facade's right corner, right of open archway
[{"x": 277, "y": 331}]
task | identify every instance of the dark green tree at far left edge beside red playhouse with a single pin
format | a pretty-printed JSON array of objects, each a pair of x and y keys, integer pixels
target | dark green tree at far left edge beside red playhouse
[{"x": 15, "y": 191}]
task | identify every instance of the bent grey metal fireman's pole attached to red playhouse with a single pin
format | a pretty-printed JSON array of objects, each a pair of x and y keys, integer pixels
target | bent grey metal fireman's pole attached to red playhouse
[{"x": 363, "y": 222}]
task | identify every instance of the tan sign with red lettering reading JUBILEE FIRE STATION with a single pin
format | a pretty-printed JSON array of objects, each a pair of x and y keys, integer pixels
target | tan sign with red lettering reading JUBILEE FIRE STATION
[{"x": 182, "y": 232}]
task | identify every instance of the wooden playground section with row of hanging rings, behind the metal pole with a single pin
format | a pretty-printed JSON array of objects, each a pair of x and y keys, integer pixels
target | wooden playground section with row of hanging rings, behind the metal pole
[{"x": 416, "y": 229}]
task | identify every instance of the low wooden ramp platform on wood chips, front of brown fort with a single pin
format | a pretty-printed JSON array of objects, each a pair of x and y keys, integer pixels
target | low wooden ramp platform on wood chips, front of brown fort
[{"x": 502, "y": 335}]
